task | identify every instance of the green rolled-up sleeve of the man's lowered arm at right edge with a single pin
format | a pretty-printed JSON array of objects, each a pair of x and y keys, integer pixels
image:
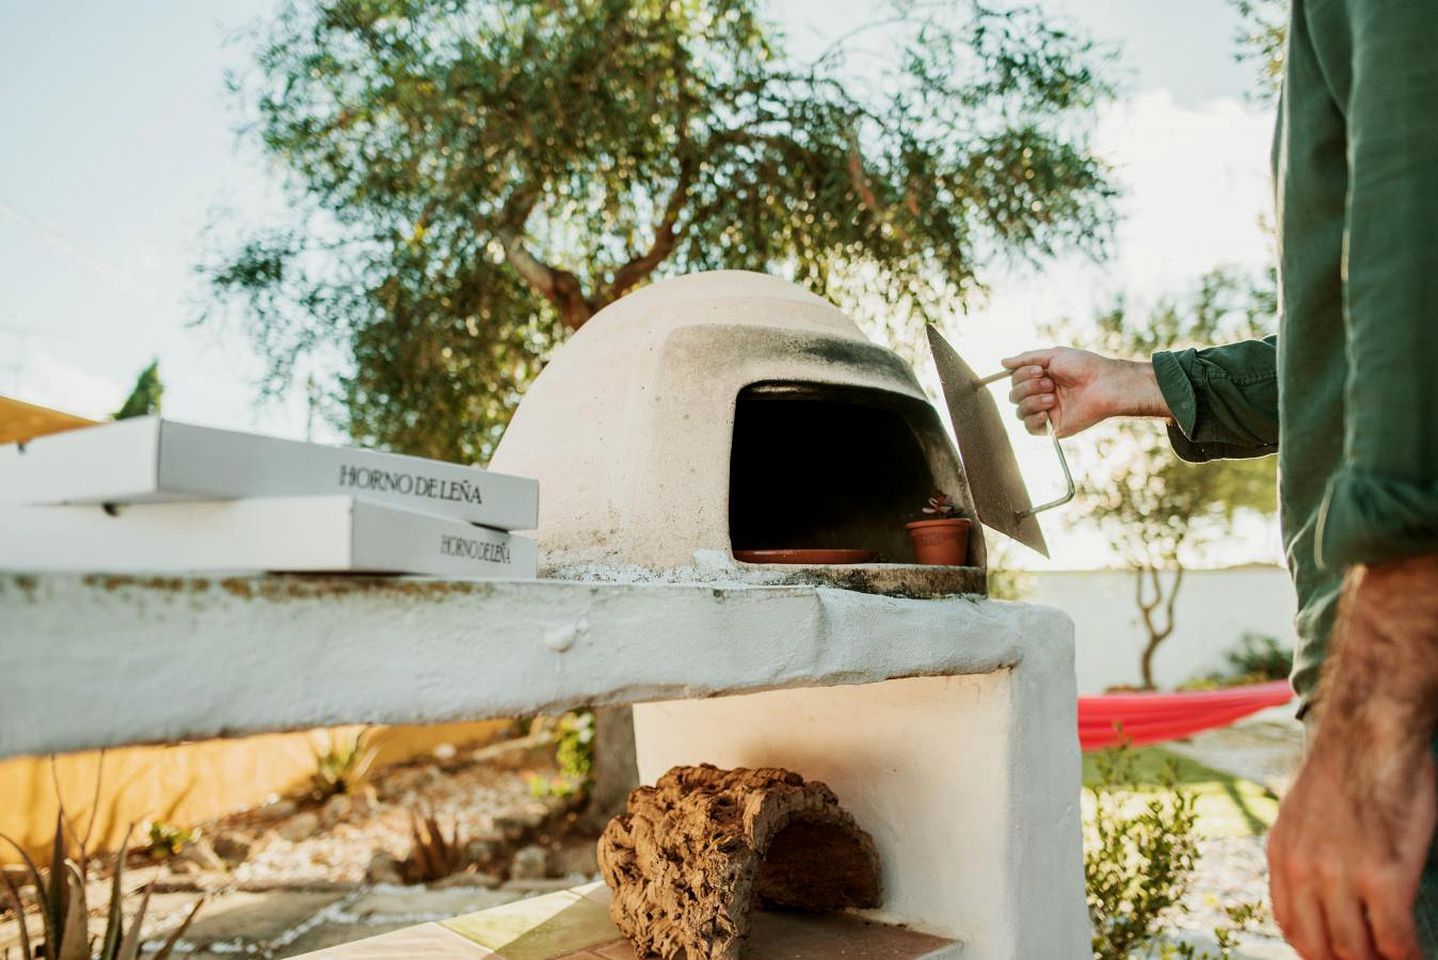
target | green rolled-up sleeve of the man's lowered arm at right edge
[{"x": 1384, "y": 502}]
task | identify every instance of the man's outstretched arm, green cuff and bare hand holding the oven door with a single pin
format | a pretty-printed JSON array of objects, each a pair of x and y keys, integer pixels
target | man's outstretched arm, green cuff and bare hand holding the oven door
[{"x": 1222, "y": 403}]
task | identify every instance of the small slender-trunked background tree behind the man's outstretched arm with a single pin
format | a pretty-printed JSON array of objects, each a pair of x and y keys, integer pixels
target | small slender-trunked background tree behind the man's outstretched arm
[{"x": 1158, "y": 512}]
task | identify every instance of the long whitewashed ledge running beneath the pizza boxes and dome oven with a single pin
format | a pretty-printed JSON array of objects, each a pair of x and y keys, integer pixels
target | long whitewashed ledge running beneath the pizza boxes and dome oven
[{"x": 103, "y": 660}]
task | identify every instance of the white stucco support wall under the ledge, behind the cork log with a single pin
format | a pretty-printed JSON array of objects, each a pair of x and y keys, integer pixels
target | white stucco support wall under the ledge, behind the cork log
[{"x": 968, "y": 787}]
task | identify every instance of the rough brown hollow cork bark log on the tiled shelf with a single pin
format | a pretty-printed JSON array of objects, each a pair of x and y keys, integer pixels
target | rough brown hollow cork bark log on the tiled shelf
[{"x": 700, "y": 850}]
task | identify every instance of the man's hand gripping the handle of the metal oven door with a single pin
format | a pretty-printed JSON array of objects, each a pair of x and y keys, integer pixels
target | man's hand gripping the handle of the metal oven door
[{"x": 1076, "y": 390}]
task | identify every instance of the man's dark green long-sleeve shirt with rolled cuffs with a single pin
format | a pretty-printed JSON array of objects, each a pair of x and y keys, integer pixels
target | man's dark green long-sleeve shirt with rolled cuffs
[{"x": 1348, "y": 392}]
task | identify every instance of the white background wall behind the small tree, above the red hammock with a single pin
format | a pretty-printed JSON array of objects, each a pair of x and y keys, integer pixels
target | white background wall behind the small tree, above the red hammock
[{"x": 1214, "y": 610}]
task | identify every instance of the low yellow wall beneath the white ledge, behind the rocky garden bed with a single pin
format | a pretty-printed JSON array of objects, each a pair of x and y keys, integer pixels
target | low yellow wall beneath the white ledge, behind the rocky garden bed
[{"x": 185, "y": 784}]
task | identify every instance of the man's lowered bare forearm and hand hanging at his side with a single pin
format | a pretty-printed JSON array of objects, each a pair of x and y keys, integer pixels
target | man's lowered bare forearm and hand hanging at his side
[{"x": 1348, "y": 850}]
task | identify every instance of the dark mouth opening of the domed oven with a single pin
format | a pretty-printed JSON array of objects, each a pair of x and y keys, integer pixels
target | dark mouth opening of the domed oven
[{"x": 829, "y": 468}]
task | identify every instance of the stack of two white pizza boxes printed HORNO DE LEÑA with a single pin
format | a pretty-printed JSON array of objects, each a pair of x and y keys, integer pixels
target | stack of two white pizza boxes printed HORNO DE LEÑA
[{"x": 150, "y": 495}]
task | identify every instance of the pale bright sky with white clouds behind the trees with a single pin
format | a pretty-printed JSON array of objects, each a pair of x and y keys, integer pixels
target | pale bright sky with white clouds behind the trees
[{"x": 117, "y": 147}]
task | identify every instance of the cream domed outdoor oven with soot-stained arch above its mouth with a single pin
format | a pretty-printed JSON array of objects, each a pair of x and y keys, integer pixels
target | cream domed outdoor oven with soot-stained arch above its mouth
[{"x": 631, "y": 428}]
